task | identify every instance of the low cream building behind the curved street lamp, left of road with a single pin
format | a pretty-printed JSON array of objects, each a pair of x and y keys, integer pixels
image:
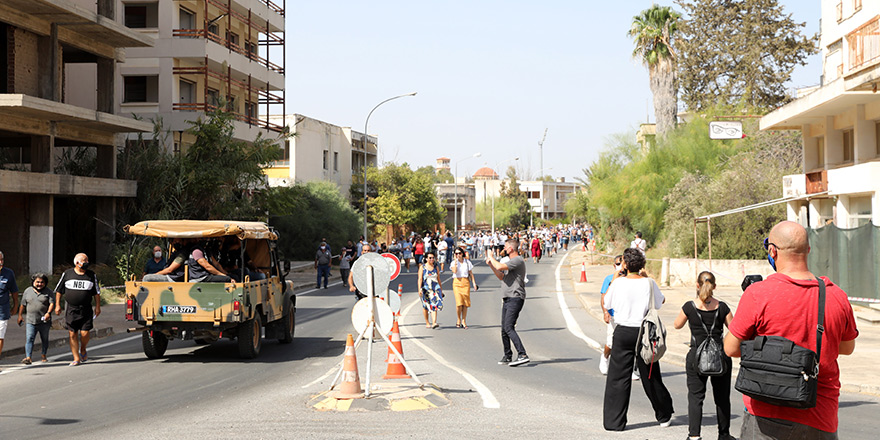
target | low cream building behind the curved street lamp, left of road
[{"x": 318, "y": 150}]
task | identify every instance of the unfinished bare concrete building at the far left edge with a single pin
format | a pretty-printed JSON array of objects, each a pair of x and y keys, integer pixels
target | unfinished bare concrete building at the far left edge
[{"x": 52, "y": 211}]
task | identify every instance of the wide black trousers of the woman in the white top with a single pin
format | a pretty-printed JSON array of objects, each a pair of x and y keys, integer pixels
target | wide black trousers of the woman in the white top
[{"x": 618, "y": 383}]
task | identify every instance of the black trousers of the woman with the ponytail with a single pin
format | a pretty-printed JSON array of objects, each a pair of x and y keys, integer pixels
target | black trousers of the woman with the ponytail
[{"x": 697, "y": 393}]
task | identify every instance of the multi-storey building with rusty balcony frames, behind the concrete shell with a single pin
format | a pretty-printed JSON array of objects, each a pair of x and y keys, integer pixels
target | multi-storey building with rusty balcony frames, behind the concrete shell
[{"x": 208, "y": 53}]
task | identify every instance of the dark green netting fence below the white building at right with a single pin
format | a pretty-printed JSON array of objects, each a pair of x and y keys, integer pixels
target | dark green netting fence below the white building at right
[{"x": 849, "y": 257}]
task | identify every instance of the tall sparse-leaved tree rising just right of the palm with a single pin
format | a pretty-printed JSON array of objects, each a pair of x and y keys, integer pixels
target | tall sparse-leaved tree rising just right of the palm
[{"x": 738, "y": 53}]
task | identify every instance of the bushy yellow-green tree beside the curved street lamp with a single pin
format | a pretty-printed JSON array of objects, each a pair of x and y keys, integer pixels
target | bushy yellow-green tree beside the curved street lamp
[{"x": 401, "y": 196}]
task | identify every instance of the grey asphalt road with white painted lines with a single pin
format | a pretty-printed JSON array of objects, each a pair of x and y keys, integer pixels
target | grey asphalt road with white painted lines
[{"x": 207, "y": 392}]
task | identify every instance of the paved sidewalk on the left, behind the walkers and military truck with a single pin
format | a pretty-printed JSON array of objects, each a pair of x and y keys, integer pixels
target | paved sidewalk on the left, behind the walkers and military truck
[{"x": 112, "y": 320}]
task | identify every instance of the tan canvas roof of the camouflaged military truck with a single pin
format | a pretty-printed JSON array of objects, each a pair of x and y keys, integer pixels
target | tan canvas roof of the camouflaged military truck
[{"x": 202, "y": 229}]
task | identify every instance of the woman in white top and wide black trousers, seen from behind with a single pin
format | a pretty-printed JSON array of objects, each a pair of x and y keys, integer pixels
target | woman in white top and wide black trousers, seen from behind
[{"x": 628, "y": 301}]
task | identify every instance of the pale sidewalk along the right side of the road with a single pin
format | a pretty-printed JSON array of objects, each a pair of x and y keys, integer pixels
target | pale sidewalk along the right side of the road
[{"x": 856, "y": 371}]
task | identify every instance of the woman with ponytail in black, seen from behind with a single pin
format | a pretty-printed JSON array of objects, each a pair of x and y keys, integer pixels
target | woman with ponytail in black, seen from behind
[{"x": 706, "y": 314}]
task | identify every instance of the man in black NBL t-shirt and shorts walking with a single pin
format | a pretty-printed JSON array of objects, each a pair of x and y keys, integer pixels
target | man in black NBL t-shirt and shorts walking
[{"x": 78, "y": 286}]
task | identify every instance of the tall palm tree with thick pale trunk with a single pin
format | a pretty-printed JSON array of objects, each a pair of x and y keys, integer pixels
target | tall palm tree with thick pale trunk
[{"x": 652, "y": 31}]
